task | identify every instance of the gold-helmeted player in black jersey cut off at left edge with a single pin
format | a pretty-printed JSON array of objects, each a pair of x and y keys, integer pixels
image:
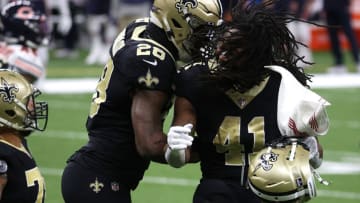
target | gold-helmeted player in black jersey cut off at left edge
[{"x": 20, "y": 114}]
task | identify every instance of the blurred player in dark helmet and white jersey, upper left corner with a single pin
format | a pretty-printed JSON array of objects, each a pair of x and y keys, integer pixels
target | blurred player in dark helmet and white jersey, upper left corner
[{"x": 23, "y": 32}]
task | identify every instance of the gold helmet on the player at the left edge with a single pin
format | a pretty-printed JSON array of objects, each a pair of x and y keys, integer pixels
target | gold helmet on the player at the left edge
[{"x": 18, "y": 108}]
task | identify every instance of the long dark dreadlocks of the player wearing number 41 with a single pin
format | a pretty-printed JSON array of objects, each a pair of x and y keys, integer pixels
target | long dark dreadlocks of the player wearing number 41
[{"x": 257, "y": 36}]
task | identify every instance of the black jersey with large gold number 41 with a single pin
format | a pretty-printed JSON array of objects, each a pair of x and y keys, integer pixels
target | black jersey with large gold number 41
[{"x": 230, "y": 125}]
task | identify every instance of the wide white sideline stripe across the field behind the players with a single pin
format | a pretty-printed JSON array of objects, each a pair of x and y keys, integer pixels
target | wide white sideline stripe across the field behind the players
[{"x": 87, "y": 85}]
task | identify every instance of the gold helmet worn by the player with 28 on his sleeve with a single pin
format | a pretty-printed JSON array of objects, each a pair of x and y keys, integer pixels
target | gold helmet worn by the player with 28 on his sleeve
[{"x": 181, "y": 18}]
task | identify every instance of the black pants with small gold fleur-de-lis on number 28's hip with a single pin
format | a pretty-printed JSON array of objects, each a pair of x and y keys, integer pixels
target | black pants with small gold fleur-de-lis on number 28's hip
[{"x": 81, "y": 185}]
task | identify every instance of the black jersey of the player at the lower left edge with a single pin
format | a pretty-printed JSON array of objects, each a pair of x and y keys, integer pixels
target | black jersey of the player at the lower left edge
[{"x": 25, "y": 182}]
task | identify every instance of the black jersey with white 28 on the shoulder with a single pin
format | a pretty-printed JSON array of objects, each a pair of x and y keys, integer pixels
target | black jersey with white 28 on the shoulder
[{"x": 141, "y": 58}]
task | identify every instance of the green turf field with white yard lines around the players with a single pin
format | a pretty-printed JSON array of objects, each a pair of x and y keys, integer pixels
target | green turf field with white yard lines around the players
[{"x": 162, "y": 184}]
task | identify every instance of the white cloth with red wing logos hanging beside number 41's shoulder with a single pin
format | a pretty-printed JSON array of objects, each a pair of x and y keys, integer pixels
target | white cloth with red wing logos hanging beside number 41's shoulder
[{"x": 300, "y": 110}]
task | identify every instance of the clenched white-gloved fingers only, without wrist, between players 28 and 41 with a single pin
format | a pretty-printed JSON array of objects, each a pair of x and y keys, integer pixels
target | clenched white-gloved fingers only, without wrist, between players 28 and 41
[{"x": 179, "y": 137}]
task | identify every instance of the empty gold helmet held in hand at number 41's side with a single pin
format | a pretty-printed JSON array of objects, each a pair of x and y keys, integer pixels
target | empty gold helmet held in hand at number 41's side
[{"x": 282, "y": 173}]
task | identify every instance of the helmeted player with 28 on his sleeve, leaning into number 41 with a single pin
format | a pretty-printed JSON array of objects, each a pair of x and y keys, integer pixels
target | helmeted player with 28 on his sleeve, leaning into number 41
[{"x": 132, "y": 98}]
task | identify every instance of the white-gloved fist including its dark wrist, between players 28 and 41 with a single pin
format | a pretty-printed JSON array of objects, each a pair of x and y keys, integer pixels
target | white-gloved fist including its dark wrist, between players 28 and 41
[{"x": 179, "y": 139}]
